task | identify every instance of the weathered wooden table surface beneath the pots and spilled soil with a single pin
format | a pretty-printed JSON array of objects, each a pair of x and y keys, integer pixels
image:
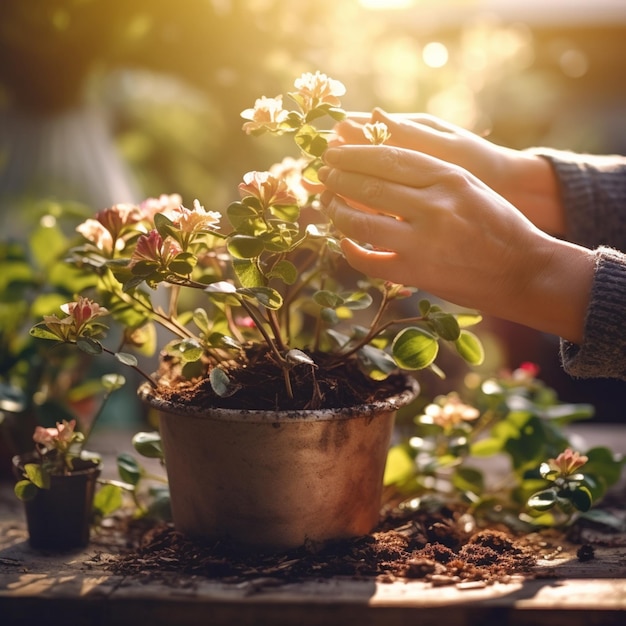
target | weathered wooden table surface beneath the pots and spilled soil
[{"x": 77, "y": 588}]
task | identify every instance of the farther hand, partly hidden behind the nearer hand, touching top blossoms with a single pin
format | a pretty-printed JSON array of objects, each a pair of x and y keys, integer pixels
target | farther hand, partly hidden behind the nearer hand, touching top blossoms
[{"x": 524, "y": 179}]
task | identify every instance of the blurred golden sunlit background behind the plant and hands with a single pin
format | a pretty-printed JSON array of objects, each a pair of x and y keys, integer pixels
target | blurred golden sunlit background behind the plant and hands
[{"x": 106, "y": 101}]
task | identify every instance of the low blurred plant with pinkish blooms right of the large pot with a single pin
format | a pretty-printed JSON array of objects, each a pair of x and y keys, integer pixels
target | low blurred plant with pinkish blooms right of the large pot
[{"x": 513, "y": 427}]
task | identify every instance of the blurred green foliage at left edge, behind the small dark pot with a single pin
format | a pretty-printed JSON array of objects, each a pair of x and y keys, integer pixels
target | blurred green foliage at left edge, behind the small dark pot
[{"x": 39, "y": 386}]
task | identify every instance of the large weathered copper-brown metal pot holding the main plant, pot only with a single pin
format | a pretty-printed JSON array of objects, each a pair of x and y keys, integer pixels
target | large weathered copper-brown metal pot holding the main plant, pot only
[{"x": 275, "y": 480}]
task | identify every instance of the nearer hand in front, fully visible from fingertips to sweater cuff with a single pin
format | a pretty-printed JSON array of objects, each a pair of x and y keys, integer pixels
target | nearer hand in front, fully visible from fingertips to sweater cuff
[{"x": 418, "y": 220}]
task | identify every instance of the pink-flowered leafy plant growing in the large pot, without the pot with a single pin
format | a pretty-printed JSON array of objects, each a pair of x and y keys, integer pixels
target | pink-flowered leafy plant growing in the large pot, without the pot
[{"x": 266, "y": 287}]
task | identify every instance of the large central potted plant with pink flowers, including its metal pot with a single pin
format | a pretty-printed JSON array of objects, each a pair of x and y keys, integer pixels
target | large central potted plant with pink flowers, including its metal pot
[{"x": 278, "y": 391}]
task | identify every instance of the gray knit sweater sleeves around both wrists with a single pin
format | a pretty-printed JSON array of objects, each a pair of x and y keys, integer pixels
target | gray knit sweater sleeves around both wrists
[{"x": 593, "y": 190}]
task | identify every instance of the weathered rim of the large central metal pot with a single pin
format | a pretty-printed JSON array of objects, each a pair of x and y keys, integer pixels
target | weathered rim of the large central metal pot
[{"x": 392, "y": 403}]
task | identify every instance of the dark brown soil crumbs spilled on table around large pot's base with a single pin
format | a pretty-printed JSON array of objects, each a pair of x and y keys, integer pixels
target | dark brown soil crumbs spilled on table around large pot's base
[{"x": 417, "y": 545}]
